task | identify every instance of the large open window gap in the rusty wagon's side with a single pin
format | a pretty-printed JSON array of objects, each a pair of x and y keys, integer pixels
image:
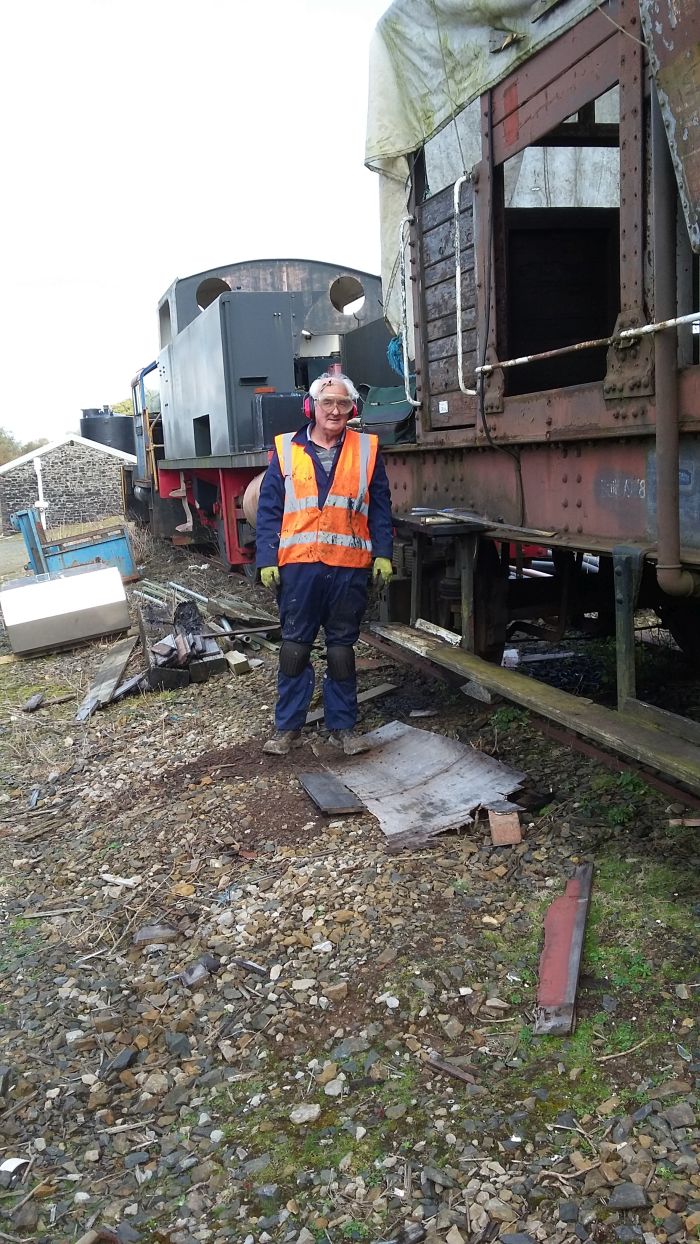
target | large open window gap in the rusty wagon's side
[{"x": 559, "y": 257}]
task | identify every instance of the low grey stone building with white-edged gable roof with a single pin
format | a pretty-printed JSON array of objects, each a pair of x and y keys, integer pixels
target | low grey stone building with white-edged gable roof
[{"x": 74, "y": 480}]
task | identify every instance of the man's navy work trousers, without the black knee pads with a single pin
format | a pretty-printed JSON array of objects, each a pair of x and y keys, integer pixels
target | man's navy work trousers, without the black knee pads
[{"x": 314, "y": 596}]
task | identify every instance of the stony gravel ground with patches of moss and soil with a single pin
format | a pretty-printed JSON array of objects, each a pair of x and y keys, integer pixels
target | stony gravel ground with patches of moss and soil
[{"x": 221, "y": 1011}]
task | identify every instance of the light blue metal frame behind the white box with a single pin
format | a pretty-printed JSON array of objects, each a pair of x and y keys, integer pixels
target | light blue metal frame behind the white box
[{"x": 110, "y": 547}]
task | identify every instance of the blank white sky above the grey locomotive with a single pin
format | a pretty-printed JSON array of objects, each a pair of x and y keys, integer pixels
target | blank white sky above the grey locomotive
[{"x": 149, "y": 140}]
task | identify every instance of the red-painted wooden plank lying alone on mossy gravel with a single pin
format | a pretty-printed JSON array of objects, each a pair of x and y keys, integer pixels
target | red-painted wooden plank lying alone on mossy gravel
[{"x": 560, "y": 962}]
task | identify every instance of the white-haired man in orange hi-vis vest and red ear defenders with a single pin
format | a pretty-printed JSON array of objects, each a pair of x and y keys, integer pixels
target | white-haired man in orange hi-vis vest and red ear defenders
[{"x": 324, "y": 524}]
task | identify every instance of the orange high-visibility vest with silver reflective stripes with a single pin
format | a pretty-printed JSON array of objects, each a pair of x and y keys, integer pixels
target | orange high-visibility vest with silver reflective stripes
[{"x": 338, "y": 534}]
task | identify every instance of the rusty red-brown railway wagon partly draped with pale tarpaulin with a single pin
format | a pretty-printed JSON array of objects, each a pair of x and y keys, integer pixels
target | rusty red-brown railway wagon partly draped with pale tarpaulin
[{"x": 540, "y": 196}]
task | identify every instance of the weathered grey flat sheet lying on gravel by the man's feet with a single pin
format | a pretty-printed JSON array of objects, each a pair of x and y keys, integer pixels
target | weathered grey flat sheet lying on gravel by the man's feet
[{"x": 418, "y": 784}]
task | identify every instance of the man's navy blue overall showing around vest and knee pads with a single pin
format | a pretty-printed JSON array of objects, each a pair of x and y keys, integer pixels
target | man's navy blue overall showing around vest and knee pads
[{"x": 315, "y": 595}]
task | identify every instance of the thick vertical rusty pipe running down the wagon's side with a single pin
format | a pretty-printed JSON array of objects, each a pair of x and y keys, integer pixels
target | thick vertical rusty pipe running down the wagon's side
[{"x": 672, "y": 578}]
